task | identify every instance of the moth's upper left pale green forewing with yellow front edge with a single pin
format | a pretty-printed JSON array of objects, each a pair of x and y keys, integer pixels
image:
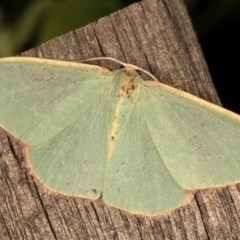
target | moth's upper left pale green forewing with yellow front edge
[{"x": 39, "y": 98}]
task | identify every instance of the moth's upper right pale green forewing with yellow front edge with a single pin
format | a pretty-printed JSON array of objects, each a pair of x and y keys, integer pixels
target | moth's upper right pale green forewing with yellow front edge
[{"x": 198, "y": 142}]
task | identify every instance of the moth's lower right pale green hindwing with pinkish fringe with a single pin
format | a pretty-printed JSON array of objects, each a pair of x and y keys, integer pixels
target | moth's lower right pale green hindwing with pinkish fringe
[{"x": 136, "y": 178}]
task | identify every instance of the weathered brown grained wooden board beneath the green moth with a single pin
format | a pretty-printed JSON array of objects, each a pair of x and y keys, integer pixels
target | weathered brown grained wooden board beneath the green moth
[{"x": 156, "y": 35}]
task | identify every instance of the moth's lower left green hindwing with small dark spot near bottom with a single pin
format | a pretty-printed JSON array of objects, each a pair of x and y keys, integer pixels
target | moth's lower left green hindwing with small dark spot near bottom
[{"x": 73, "y": 162}]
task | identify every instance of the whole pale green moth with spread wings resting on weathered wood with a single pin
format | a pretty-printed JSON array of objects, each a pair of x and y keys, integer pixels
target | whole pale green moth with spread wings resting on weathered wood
[{"x": 141, "y": 146}]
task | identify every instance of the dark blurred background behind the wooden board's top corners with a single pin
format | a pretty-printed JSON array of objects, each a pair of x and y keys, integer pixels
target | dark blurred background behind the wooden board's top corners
[{"x": 27, "y": 23}]
